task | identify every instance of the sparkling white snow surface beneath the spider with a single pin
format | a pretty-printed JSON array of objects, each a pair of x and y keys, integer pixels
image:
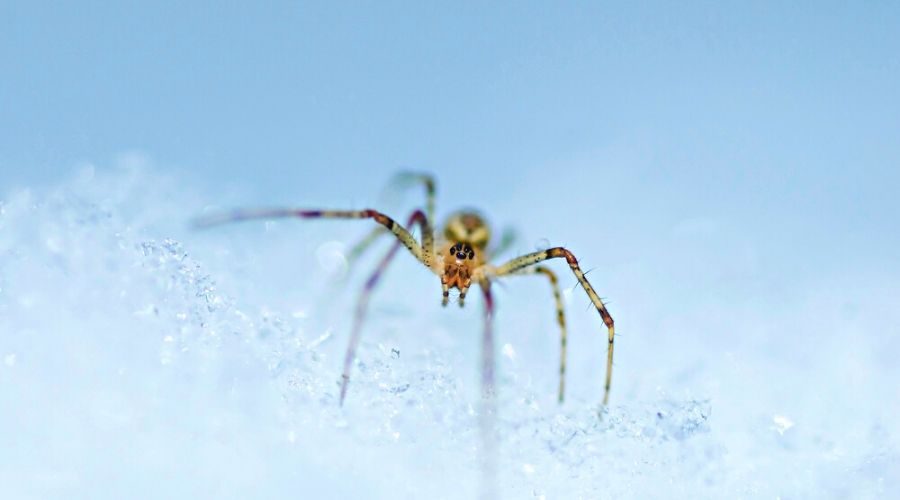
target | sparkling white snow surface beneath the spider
[{"x": 140, "y": 359}]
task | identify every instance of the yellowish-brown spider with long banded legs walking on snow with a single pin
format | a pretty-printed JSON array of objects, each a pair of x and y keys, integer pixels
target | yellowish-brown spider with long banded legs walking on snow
[{"x": 459, "y": 256}]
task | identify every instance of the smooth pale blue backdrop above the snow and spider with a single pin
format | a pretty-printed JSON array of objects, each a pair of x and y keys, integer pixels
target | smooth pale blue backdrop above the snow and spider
[{"x": 614, "y": 119}]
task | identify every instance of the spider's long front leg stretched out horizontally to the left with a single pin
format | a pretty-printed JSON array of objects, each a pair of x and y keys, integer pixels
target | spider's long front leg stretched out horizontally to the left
[{"x": 423, "y": 253}]
